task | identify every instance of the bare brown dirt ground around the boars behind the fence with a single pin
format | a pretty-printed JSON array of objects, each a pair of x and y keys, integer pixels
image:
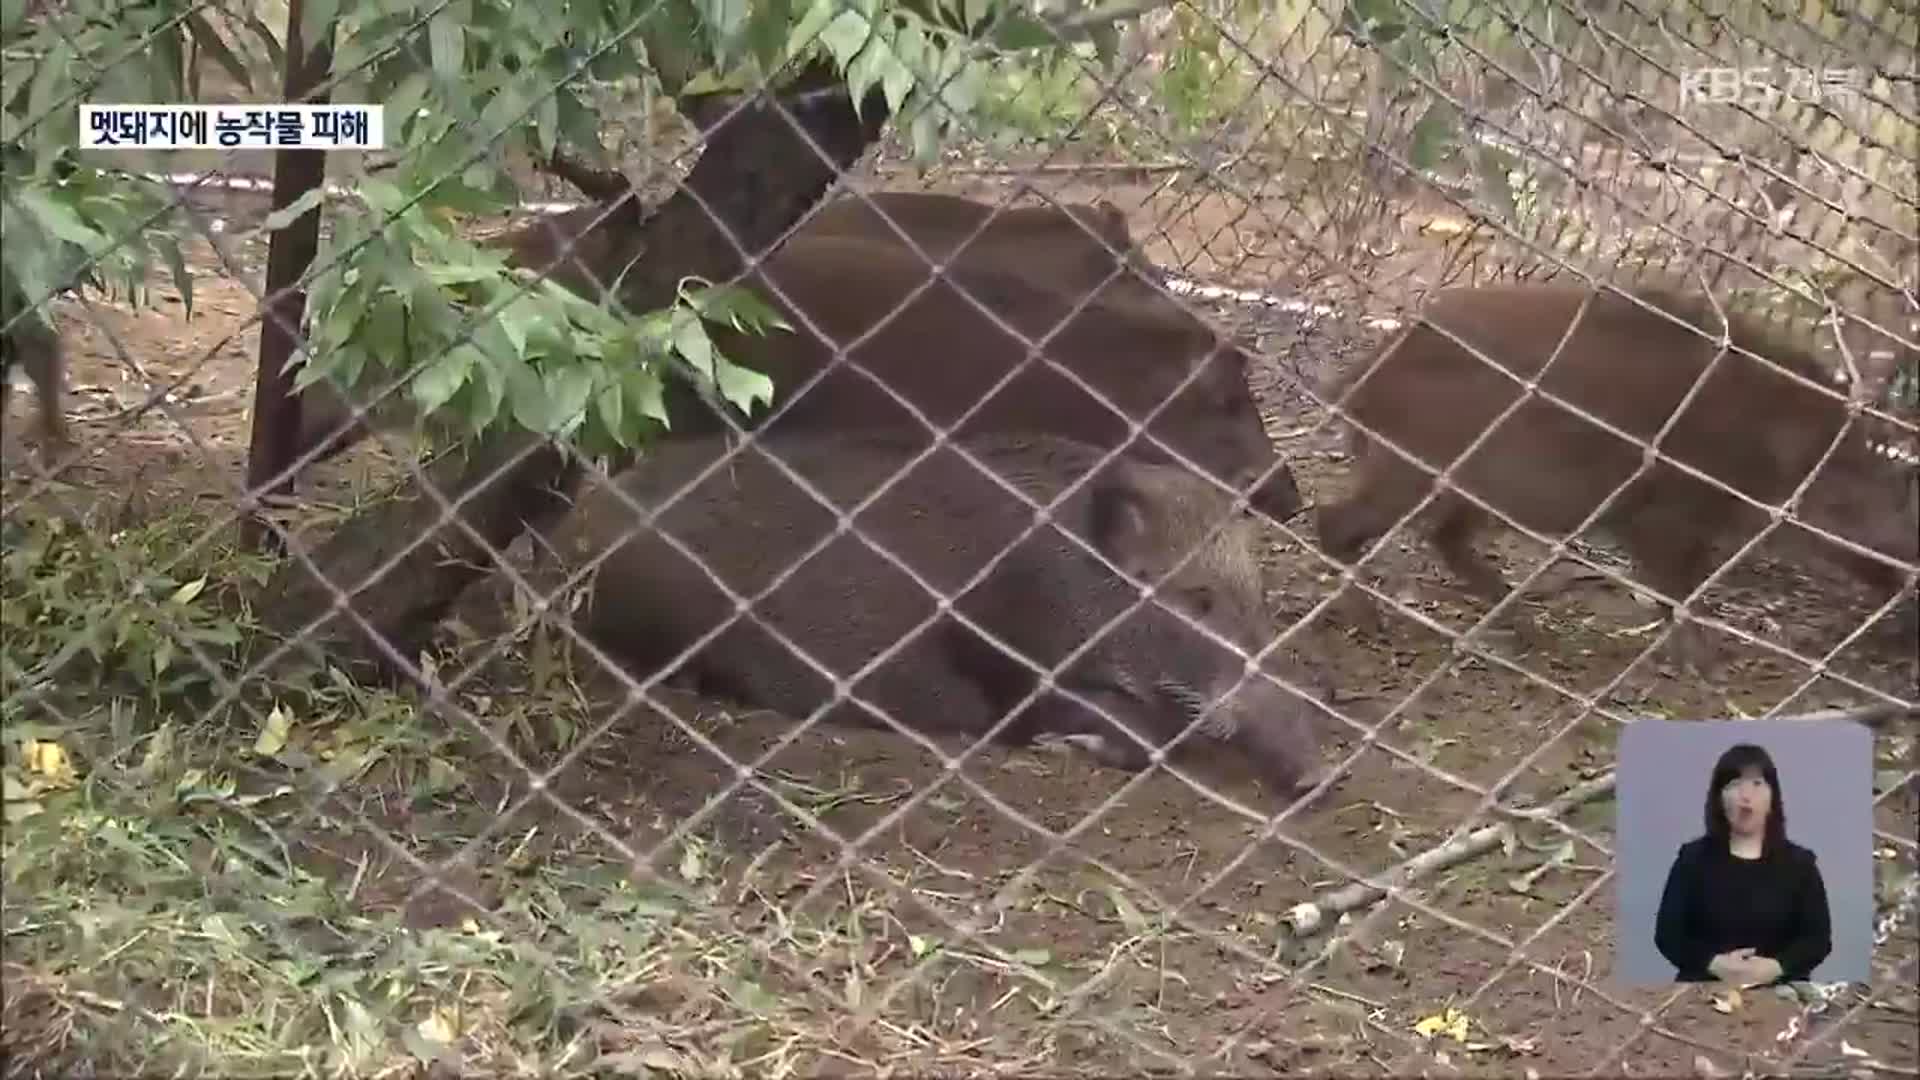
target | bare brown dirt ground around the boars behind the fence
[{"x": 1218, "y": 989}]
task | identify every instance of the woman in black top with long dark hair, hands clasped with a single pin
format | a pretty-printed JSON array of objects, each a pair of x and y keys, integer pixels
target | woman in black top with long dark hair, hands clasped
[{"x": 1744, "y": 904}]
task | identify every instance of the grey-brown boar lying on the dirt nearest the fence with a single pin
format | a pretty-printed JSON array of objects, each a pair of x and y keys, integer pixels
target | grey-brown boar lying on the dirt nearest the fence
[{"x": 948, "y": 520}]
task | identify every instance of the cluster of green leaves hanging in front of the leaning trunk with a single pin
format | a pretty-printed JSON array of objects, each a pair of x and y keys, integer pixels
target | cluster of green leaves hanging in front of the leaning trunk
[{"x": 477, "y": 343}]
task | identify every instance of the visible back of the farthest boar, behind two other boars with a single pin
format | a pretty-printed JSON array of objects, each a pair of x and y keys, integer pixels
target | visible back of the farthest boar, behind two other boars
[{"x": 1072, "y": 249}]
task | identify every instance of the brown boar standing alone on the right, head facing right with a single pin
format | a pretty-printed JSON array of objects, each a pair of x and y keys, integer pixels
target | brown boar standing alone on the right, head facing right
[{"x": 1750, "y": 428}]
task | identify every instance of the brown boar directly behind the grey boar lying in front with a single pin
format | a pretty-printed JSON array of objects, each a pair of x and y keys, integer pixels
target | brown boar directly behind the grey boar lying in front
[{"x": 944, "y": 355}]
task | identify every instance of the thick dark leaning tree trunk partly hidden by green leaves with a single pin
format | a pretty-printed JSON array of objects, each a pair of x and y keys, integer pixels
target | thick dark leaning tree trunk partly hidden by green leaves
[{"x": 757, "y": 174}]
